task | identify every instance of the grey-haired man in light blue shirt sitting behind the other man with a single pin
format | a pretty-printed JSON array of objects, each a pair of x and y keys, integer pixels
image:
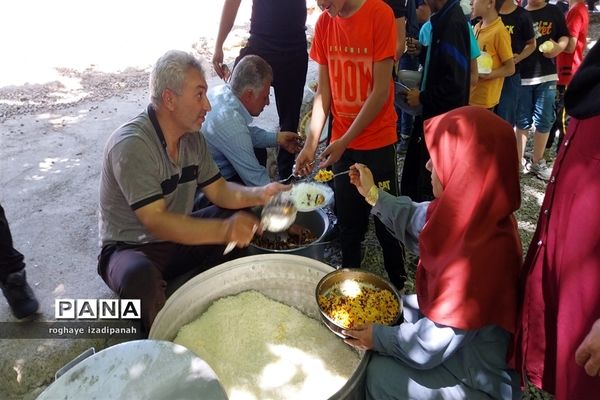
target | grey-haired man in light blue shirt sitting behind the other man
[{"x": 231, "y": 140}]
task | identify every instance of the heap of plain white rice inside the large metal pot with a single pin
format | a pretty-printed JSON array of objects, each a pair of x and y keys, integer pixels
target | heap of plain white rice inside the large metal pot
[{"x": 263, "y": 349}]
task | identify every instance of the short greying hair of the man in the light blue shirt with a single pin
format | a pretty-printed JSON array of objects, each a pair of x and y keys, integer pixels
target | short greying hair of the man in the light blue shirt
[{"x": 251, "y": 72}]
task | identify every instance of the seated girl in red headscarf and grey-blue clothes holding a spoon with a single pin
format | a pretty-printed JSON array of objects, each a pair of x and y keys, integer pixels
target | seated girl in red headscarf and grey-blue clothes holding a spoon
[{"x": 454, "y": 339}]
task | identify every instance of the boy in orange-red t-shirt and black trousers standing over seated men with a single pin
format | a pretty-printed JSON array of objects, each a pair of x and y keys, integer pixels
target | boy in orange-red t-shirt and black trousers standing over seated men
[{"x": 355, "y": 45}]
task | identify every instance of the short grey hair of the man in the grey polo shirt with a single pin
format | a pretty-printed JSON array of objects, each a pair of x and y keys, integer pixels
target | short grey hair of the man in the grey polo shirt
[{"x": 169, "y": 73}]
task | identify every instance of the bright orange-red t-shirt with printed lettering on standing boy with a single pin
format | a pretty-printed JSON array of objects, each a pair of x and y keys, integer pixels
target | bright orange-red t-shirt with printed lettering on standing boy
[{"x": 350, "y": 47}]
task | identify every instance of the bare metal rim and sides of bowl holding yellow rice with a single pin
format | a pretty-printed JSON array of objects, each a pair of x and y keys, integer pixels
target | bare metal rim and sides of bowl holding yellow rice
[{"x": 350, "y": 275}]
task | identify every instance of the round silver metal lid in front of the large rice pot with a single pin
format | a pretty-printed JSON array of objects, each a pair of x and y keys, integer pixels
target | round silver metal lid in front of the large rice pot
[{"x": 140, "y": 369}]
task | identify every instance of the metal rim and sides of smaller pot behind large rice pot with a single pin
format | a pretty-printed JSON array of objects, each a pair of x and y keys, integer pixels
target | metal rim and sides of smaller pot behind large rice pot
[{"x": 318, "y": 223}]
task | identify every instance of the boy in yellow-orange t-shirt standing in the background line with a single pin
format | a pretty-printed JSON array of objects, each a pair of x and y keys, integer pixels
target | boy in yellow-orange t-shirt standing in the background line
[{"x": 493, "y": 39}]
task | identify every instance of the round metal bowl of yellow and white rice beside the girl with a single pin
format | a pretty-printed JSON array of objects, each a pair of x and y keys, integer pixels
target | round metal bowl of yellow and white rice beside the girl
[{"x": 349, "y": 298}]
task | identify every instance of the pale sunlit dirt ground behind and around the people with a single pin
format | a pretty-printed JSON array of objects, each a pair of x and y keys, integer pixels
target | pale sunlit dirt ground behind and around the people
[{"x": 63, "y": 90}]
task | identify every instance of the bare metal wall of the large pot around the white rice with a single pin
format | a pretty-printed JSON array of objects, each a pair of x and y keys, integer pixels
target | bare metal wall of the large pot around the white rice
[{"x": 288, "y": 279}]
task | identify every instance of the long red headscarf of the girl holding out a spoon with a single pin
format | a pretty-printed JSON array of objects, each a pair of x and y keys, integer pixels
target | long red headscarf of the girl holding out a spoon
[{"x": 470, "y": 248}]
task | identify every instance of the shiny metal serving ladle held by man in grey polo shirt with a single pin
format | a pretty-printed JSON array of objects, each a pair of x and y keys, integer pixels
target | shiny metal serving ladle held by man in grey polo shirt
[{"x": 276, "y": 216}]
